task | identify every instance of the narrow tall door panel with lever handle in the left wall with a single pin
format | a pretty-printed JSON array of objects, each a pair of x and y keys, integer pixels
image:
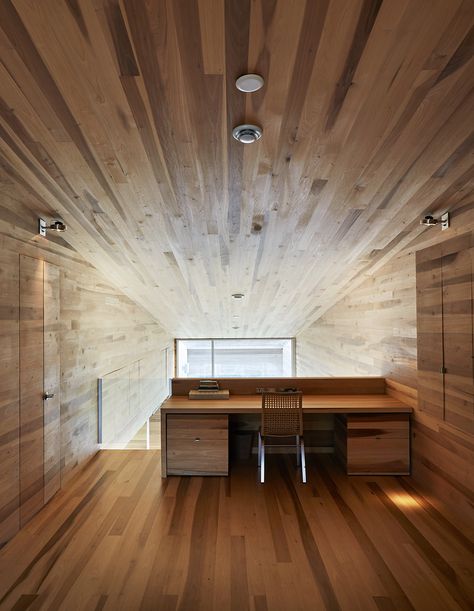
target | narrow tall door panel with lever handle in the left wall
[{"x": 51, "y": 382}]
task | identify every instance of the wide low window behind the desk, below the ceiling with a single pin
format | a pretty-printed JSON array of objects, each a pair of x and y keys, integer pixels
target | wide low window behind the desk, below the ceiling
[{"x": 235, "y": 358}]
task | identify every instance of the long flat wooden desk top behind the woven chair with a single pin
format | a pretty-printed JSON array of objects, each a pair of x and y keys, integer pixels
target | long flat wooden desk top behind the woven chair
[{"x": 324, "y": 404}]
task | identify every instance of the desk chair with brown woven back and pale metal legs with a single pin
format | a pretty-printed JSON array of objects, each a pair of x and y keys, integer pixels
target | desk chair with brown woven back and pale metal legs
[{"x": 282, "y": 416}]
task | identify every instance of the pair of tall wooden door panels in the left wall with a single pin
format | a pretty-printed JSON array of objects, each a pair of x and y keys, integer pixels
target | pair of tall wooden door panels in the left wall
[{"x": 39, "y": 435}]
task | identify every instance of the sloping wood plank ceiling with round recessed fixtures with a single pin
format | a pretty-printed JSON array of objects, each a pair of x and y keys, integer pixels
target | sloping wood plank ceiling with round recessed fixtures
[{"x": 117, "y": 116}]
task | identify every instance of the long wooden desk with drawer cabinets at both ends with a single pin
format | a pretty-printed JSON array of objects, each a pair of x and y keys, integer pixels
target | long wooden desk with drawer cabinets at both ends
[{"x": 372, "y": 432}]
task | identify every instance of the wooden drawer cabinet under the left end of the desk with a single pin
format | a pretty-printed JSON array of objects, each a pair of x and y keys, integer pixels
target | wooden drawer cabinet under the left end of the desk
[{"x": 197, "y": 444}]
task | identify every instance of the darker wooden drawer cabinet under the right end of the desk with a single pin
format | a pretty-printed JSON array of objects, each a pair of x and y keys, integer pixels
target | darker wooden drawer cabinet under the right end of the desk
[{"x": 374, "y": 444}]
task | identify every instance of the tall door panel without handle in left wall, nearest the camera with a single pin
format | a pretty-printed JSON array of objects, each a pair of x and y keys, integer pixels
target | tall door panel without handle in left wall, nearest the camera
[{"x": 31, "y": 387}]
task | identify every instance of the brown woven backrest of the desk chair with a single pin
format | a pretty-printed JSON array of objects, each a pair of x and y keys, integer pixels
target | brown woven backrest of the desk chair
[{"x": 282, "y": 413}]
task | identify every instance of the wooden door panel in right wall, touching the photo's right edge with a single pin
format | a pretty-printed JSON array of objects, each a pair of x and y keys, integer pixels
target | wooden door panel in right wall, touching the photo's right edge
[{"x": 458, "y": 339}]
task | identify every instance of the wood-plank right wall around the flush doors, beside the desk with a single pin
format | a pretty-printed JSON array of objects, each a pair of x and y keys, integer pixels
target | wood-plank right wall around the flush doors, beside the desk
[{"x": 373, "y": 331}]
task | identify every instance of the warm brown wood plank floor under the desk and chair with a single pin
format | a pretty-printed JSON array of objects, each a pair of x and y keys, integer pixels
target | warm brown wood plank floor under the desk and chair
[{"x": 120, "y": 537}]
